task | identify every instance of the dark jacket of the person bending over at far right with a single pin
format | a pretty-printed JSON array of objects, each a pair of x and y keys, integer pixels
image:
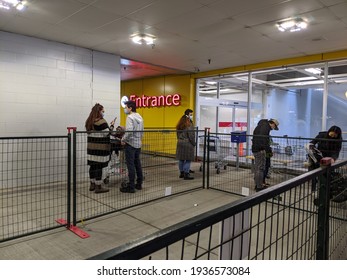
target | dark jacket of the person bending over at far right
[{"x": 330, "y": 147}]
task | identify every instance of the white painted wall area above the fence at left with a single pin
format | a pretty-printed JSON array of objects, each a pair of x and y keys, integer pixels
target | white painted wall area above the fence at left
[{"x": 47, "y": 86}]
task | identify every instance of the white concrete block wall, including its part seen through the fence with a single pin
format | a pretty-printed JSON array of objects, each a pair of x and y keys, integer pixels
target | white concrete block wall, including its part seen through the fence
[{"x": 46, "y": 87}]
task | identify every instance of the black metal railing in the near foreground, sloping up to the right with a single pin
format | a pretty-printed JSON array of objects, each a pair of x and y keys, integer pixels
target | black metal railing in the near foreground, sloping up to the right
[{"x": 288, "y": 221}]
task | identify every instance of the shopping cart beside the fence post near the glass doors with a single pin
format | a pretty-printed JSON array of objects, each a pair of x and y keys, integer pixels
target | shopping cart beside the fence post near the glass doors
[{"x": 214, "y": 149}]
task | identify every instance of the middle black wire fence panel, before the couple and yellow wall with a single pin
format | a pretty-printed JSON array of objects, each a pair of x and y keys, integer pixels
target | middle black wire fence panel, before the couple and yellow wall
[{"x": 161, "y": 176}]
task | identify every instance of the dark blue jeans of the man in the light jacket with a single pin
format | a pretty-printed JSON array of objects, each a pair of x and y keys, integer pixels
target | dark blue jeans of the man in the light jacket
[{"x": 132, "y": 159}]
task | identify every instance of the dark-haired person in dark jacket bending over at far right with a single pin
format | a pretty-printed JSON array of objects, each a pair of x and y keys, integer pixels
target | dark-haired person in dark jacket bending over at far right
[{"x": 329, "y": 143}]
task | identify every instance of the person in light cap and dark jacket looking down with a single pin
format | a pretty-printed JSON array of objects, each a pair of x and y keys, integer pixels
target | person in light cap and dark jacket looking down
[{"x": 260, "y": 147}]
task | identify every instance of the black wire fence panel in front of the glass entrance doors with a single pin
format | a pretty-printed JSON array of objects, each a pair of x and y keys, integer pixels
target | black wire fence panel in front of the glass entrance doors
[{"x": 232, "y": 162}]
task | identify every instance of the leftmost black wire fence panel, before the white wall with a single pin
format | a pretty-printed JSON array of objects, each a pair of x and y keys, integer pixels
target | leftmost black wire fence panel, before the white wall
[{"x": 34, "y": 183}]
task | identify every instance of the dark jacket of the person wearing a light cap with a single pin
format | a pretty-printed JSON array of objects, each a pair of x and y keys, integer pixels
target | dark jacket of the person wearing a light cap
[{"x": 261, "y": 138}]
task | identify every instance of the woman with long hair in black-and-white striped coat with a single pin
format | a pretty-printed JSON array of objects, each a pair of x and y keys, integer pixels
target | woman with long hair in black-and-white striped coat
[{"x": 98, "y": 148}]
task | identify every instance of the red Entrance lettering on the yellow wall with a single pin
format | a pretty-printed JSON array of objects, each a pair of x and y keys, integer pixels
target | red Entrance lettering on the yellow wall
[{"x": 156, "y": 101}]
